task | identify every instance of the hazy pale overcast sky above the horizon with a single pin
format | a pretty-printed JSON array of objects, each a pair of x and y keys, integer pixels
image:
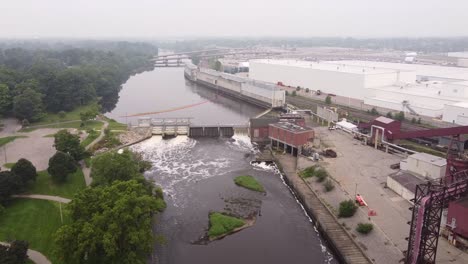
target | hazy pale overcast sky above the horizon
[{"x": 172, "y": 18}]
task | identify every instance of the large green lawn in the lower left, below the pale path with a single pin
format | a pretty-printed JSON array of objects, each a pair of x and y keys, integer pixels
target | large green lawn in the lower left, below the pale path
[{"x": 34, "y": 221}]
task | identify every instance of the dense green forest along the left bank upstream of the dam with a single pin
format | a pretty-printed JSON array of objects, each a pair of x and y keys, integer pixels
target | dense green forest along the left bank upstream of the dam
[{"x": 36, "y": 81}]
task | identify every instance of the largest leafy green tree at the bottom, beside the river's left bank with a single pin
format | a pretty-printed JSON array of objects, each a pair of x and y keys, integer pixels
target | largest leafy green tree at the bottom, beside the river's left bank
[{"x": 110, "y": 224}]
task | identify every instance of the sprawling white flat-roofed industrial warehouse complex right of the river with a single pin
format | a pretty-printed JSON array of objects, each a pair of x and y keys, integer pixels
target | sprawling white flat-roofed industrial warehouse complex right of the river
[{"x": 434, "y": 91}]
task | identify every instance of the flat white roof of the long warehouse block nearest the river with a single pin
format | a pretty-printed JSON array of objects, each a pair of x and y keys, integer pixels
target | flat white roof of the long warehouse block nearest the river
[{"x": 327, "y": 66}]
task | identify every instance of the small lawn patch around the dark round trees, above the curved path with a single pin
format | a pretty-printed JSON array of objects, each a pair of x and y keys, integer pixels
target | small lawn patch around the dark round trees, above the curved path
[{"x": 45, "y": 185}]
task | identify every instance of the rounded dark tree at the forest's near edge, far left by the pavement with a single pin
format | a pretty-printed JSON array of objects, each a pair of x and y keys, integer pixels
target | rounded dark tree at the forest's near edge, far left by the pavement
[{"x": 28, "y": 105}]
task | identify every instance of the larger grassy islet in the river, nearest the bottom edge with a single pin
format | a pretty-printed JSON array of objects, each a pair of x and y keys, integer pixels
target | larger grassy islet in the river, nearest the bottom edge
[{"x": 222, "y": 225}]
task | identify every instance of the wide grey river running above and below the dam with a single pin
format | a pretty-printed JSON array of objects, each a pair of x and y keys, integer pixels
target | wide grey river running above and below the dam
[{"x": 197, "y": 177}]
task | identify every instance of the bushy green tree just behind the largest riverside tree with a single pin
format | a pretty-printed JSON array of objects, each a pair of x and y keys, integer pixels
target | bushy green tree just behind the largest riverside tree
[{"x": 113, "y": 166}]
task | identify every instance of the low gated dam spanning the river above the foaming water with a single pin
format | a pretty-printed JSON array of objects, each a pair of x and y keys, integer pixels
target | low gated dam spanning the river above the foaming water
[{"x": 183, "y": 126}]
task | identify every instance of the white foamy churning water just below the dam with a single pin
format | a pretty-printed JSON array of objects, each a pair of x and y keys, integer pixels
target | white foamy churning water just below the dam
[{"x": 178, "y": 162}]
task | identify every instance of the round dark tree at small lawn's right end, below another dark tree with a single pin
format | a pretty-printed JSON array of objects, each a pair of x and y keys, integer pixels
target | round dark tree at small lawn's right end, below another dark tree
[{"x": 60, "y": 165}]
